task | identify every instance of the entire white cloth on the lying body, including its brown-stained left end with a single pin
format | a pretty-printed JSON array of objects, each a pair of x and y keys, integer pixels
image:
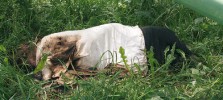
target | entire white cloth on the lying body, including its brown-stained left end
[{"x": 95, "y": 47}]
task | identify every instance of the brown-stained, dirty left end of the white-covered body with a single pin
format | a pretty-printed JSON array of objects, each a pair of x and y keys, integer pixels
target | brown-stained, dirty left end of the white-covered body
[{"x": 61, "y": 49}]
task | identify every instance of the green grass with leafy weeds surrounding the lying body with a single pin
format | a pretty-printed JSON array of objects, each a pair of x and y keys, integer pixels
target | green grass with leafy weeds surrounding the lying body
[{"x": 22, "y": 21}]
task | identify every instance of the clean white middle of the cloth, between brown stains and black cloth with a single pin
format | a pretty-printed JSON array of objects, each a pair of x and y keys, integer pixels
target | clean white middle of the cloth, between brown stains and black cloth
[{"x": 110, "y": 37}]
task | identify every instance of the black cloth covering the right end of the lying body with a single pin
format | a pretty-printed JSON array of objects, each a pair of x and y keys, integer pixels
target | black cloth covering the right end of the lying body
[{"x": 160, "y": 38}]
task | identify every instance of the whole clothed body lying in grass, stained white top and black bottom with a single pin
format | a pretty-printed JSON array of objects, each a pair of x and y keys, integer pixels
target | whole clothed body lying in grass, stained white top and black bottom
[{"x": 98, "y": 46}]
